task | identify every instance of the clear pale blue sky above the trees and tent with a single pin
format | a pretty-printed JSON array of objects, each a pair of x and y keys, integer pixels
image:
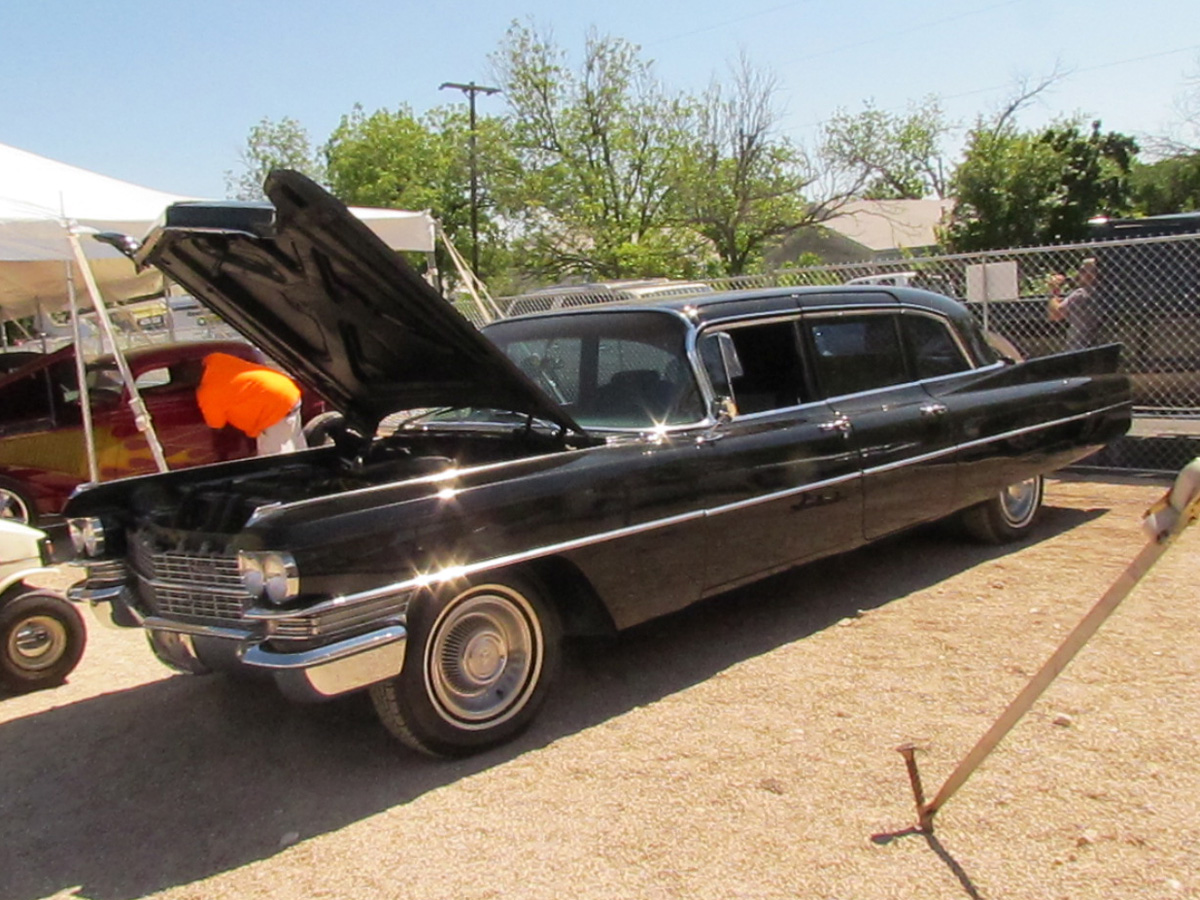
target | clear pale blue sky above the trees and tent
[{"x": 164, "y": 94}]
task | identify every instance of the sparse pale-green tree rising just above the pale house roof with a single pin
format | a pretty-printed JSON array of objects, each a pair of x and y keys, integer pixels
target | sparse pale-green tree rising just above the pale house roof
[{"x": 893, "y": 157}]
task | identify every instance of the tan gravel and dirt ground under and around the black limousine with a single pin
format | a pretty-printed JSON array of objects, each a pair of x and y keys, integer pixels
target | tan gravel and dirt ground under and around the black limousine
[{"x": 741, "y": 749}]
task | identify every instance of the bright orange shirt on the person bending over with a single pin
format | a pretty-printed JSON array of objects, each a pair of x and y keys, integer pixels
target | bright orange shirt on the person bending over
[{"x": 245, "y": 395}]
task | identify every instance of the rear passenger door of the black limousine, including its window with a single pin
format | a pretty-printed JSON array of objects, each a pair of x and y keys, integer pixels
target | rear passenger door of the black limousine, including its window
[{"x": 903, "y": 437}]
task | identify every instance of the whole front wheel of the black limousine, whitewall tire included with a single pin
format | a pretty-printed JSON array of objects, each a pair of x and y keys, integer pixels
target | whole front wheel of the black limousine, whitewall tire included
[{"x": 479, "y": 664}]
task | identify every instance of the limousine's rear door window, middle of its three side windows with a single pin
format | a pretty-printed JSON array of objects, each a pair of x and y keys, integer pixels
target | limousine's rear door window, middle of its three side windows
[{"x": 857, "y": 353}]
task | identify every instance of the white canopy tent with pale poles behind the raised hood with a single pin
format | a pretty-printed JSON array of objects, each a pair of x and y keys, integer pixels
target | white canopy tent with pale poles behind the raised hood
[{"x": 46, "y": 211}]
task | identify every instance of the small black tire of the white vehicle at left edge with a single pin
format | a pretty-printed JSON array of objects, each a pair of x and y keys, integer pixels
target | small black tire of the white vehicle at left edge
[{"x": 41, "y": 640}]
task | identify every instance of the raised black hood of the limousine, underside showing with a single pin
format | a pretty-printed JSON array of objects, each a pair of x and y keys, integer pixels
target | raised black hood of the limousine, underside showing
[{"x": 320, "y": 293}]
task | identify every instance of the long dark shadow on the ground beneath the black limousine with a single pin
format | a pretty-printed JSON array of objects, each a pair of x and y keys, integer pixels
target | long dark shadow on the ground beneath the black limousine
[{"x": 137, "y": 791}]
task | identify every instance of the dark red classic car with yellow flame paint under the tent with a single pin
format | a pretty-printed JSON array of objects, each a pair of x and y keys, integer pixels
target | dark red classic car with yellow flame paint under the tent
[{"x": 43, "y": 448}]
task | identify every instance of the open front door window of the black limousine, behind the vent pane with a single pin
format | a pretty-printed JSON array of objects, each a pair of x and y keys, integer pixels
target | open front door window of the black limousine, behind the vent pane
[{"x": 772, "y": 376}]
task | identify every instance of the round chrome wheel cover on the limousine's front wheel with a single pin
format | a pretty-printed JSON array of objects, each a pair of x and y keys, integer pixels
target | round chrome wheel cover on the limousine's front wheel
[{"x": 484, "y": 658}]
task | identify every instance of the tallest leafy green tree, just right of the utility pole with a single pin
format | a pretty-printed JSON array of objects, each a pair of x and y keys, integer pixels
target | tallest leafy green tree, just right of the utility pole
[{"x": 593, "y": 153}]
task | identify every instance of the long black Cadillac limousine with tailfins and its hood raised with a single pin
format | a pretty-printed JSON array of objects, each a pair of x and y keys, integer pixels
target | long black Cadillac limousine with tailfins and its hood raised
[{"x": 484, "y": 494}]
